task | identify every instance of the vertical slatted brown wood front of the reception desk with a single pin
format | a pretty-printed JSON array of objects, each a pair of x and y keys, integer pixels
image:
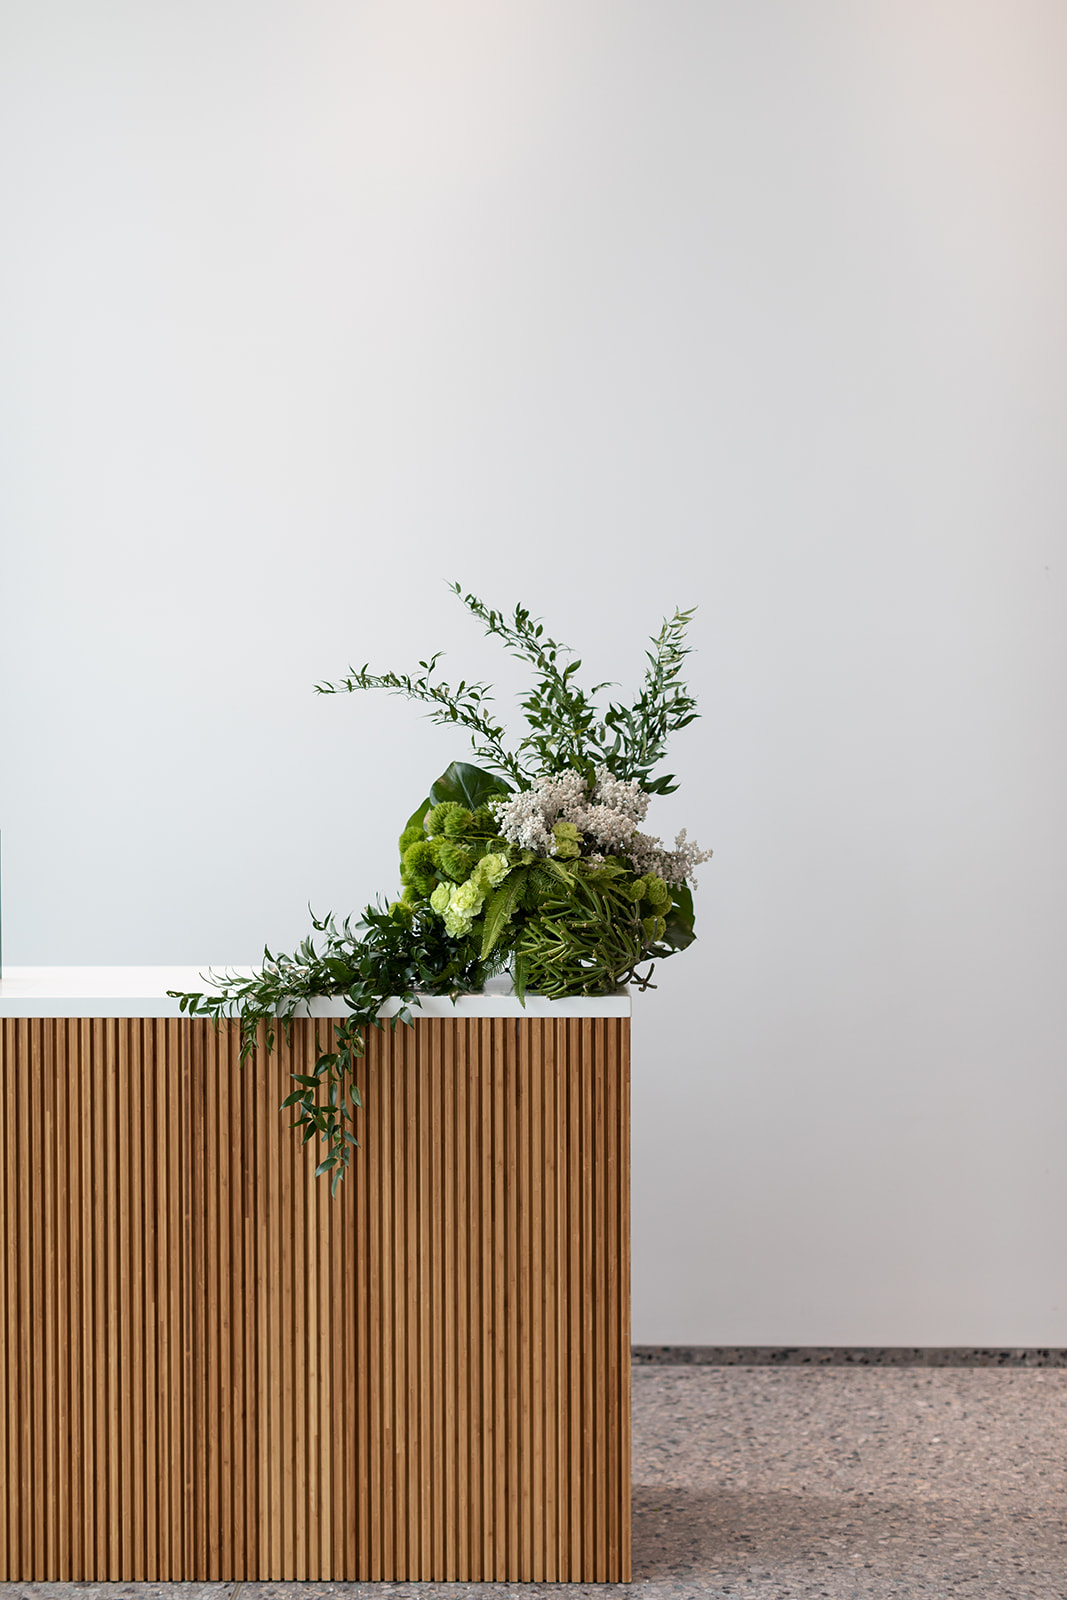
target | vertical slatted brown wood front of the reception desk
[{"x": 212, "y": 1370}]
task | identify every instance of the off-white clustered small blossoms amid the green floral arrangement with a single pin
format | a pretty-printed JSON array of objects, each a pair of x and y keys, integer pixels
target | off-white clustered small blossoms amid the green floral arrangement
[{"x": 609, "y": 817}]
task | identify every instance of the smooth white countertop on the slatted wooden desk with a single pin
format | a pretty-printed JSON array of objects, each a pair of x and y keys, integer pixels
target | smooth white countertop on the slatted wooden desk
[{"x": 142, "y": 991}]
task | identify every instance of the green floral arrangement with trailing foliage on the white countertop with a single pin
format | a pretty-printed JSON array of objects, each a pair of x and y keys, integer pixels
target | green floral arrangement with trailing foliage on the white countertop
[{"x": 530, "y": 862}]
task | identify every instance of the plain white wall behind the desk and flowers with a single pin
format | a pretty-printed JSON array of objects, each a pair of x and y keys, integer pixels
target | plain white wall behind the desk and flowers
[{"x": 308, "y": 306}]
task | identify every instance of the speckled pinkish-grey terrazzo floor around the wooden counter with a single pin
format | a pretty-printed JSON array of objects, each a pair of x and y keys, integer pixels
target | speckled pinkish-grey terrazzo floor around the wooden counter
[{"x": 772, "y": 1484}]
